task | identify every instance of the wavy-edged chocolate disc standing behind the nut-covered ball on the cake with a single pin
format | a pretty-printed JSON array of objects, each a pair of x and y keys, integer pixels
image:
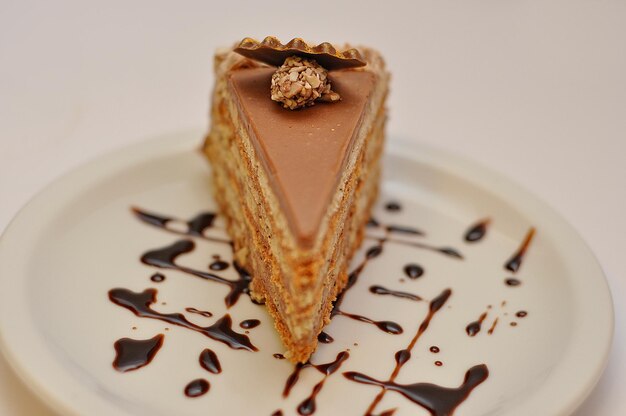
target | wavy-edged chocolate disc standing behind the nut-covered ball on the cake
[{"x": 273, "y": 52}]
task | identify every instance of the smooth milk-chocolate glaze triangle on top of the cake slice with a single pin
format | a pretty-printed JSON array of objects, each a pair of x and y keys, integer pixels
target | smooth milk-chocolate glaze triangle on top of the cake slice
[{"x": 304, "y": 151}]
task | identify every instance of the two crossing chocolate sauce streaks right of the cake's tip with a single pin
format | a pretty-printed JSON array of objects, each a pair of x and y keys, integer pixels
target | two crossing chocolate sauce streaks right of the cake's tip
[{"x": 440, "y": 401}]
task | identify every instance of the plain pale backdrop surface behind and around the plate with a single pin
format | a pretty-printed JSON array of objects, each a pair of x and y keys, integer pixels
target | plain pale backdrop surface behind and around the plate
[{"x": 533, "y": 90}]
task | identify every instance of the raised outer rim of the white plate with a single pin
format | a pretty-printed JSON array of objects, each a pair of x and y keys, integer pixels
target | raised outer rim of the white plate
[{"x": 596, "y": 352}]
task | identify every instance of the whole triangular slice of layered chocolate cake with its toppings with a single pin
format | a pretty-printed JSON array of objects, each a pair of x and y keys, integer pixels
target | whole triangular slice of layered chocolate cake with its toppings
[{"x": 294, "y": 145}]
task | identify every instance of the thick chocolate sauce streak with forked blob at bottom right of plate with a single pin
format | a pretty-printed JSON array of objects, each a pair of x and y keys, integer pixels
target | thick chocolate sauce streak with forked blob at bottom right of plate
[{"x": 438, "y": 400}]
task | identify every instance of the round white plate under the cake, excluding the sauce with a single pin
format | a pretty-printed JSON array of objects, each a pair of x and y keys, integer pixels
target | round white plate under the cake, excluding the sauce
[{"x": 78, "y": 239}]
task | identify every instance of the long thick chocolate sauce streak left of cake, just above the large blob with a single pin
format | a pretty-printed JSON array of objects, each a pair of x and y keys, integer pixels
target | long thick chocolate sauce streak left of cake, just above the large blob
[{"x": 139, "y": 304}]
